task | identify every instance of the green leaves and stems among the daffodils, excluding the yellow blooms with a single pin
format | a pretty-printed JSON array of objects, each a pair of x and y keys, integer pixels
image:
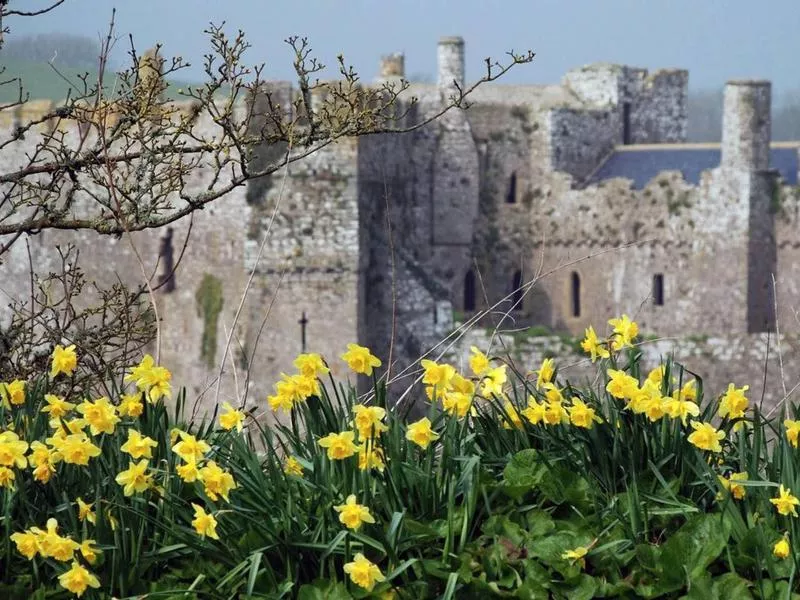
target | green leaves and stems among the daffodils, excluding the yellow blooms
[{"x": 489, "y": 510}]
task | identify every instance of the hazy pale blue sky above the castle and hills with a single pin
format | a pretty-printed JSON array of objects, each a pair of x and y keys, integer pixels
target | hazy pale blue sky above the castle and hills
[{"x": 715, "y": 39}]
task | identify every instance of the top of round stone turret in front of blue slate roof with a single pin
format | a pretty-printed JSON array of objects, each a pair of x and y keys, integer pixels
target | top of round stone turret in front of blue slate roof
[{"x": 746, "y": 125}]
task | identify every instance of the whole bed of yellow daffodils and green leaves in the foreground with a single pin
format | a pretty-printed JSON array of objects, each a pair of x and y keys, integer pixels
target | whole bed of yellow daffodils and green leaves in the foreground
[{"x": 512, "y": 486}]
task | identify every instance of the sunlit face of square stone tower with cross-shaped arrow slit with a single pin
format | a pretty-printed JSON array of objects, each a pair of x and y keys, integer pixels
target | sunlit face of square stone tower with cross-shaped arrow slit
[{"x": 310, "y": 263}]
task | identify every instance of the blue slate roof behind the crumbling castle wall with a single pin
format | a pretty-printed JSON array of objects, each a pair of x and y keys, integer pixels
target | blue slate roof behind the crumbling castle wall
[{"x": 642, "y": 165}]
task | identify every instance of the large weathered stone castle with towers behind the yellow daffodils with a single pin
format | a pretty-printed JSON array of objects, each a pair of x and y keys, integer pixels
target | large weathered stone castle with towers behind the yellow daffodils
[{"x": 559, "y": 205}]
